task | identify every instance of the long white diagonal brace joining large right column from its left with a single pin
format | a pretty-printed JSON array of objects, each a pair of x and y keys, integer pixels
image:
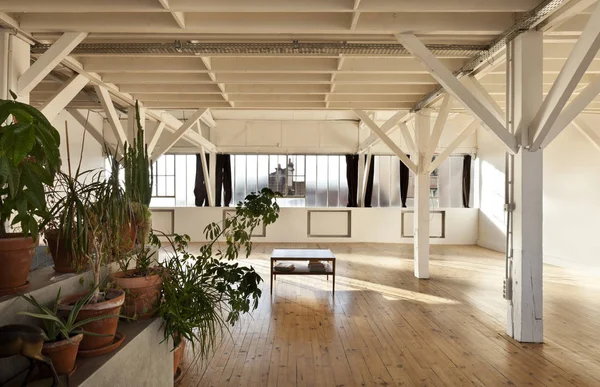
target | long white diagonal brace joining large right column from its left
[{"x": 453, "y": 86}]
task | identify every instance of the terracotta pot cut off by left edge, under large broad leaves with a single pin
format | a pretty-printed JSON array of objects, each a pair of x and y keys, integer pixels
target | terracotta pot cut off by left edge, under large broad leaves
[{"x": 16, "y": 254}]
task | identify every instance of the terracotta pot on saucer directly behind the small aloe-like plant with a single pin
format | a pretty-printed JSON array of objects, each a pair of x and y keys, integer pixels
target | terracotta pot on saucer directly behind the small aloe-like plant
[{"x": 108, "y": 326}]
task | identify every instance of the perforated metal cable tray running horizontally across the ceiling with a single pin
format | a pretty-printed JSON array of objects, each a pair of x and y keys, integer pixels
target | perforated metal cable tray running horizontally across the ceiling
[{"x": 294, "y": 48}]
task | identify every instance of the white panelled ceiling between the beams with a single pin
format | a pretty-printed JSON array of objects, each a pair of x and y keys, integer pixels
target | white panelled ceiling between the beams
[{"x": 295, "y": 85}]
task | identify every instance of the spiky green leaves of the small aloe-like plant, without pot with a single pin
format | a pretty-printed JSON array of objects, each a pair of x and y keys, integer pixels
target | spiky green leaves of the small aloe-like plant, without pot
[{"x": 56, "y": 326}]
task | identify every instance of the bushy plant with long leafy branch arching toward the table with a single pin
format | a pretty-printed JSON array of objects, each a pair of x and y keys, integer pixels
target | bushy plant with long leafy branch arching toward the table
[{"x": 203, "y": 294}]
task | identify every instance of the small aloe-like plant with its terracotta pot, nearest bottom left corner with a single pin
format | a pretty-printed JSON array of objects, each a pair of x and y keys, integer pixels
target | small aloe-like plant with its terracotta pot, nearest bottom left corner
[{"x": 64, "y": 333}]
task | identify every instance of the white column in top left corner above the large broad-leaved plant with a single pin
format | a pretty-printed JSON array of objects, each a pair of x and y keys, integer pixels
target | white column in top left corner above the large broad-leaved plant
[{"x": 14, "y": 62}]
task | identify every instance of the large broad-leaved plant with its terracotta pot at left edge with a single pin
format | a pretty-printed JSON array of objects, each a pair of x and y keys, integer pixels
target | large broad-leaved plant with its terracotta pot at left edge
[{"x": 29, "y": 160}]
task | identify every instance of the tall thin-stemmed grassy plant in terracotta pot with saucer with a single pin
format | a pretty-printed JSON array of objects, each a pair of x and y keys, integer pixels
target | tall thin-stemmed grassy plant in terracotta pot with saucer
[{"x": 107, "y": 210}]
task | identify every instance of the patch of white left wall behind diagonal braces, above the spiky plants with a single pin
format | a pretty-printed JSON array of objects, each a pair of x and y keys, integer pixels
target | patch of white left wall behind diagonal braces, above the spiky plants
[{"x": 92, "y": 150}]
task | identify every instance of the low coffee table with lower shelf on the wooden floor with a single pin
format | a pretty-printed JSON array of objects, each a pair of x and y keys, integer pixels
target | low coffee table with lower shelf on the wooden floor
[{"x": 301, "y": 259}]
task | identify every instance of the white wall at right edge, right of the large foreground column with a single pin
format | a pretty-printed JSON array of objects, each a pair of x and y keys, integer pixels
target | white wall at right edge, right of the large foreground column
[{"x": 571, "y": 205}]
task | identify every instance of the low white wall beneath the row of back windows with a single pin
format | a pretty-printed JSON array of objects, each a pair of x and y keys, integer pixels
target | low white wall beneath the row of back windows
[{"x": 380, "y": 225}]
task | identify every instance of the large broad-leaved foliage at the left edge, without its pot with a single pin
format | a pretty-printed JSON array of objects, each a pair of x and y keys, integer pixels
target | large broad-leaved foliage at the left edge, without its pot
[{"x": 29, "y": 160}]
